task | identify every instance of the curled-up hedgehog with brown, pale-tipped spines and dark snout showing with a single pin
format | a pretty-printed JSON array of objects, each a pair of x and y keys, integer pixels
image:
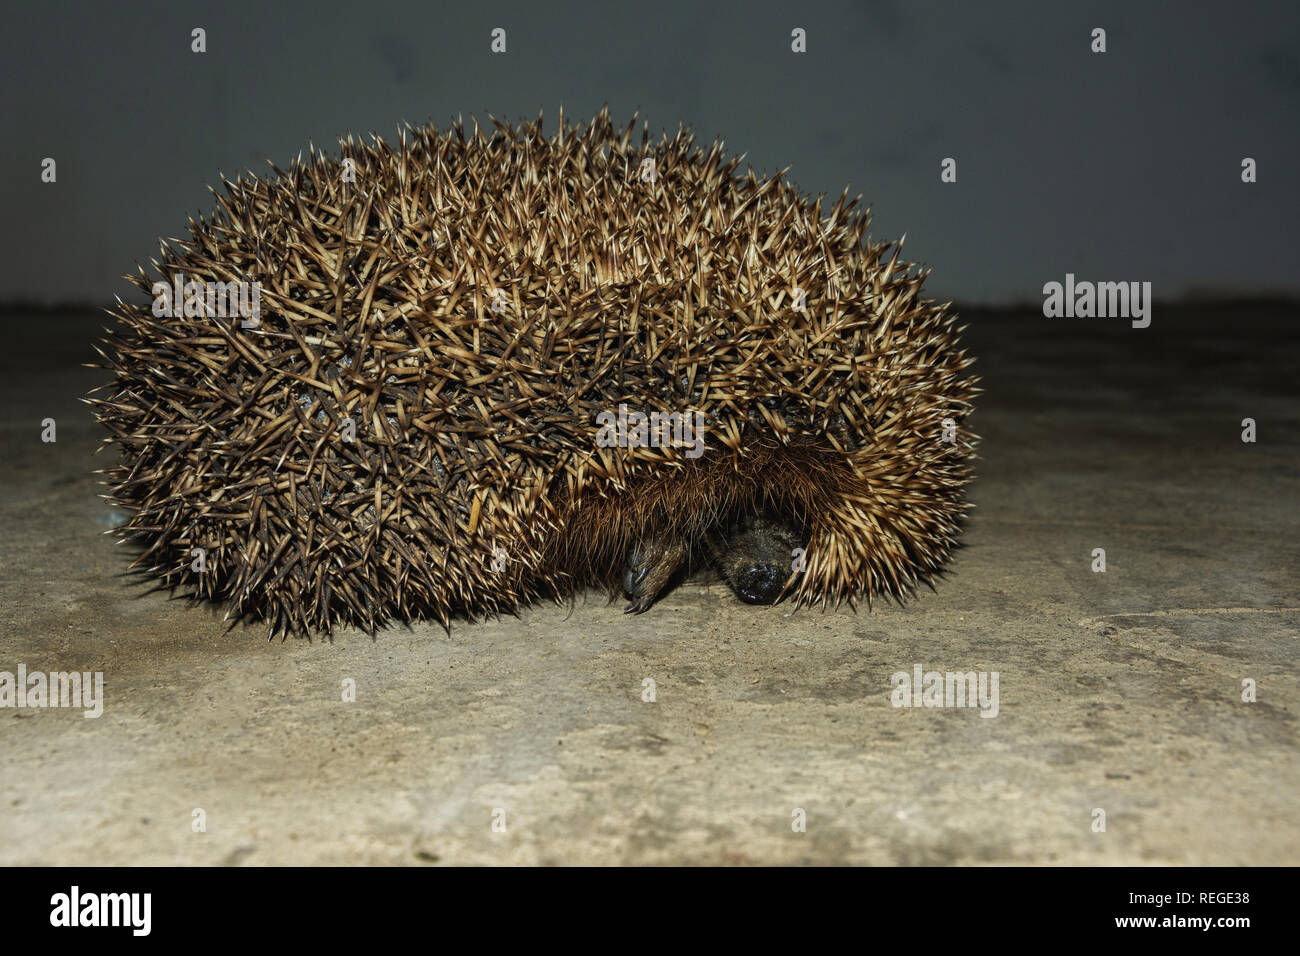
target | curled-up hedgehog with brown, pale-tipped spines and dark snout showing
[{"x": 476, "y": 369}]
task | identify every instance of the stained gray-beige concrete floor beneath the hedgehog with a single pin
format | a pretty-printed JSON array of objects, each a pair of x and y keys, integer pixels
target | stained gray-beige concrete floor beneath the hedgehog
[{"x": 1120, "y": 691}]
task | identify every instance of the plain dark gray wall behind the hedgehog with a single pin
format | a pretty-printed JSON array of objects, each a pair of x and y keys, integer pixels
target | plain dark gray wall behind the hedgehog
[{"x": 1124, "y": 166}]
